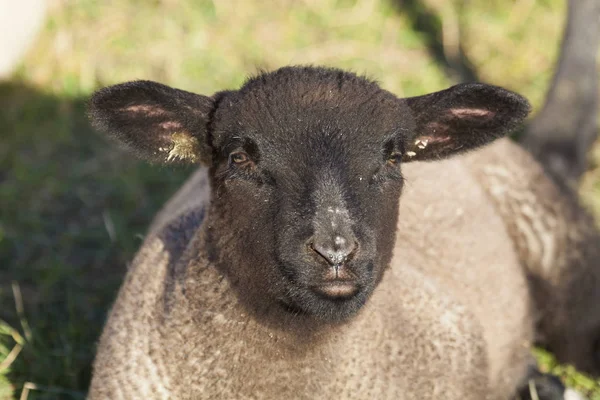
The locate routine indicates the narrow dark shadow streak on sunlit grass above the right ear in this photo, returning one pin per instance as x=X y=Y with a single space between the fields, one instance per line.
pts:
x=456 y=66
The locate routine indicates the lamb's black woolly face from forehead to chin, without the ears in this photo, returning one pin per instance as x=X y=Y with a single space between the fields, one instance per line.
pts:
x=314 y=185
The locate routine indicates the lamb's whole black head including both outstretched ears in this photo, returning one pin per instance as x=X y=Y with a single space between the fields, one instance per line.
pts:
x=305 y=170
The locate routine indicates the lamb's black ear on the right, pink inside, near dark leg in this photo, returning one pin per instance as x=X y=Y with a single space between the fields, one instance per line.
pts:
x=461 y=118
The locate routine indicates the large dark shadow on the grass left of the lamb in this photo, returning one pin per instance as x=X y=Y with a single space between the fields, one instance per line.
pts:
x=73 y=210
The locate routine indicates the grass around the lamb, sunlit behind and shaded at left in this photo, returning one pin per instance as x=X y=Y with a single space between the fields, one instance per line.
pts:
x=74 y=208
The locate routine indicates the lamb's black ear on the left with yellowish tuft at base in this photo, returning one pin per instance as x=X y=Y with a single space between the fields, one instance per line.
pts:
x=157 y=122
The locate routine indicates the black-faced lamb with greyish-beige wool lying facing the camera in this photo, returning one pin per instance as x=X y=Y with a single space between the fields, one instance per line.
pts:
x=288 y=267
